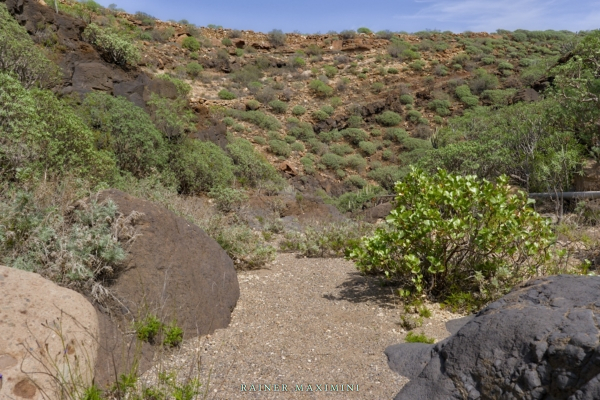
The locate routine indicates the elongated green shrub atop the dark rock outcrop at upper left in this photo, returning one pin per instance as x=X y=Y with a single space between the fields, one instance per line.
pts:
x=115 y=47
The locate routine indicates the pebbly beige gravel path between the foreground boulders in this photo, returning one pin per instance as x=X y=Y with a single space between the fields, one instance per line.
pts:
x=305 y=322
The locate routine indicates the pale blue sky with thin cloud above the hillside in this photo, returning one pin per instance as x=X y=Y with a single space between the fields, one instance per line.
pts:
x=311 y=16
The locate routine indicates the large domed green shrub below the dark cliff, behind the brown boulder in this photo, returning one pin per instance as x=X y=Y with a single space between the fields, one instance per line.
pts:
x=127 y=131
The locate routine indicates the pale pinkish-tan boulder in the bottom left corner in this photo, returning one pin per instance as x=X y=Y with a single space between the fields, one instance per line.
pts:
x=45 y=330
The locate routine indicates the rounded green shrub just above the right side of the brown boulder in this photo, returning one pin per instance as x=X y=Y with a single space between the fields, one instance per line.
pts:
x=201 y=166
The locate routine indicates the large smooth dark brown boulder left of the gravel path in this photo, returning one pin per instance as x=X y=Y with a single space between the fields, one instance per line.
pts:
x=173 y=270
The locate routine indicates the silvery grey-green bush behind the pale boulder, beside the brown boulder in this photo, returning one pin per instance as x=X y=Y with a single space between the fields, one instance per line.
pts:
x=76 y=250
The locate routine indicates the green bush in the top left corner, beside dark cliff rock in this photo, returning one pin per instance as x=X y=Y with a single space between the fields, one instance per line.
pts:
x=19 y=55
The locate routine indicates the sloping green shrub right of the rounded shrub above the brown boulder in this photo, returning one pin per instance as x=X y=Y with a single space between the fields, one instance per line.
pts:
x=250 y=167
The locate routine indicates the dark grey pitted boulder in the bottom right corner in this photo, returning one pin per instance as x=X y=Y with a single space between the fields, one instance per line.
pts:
x=541 y=341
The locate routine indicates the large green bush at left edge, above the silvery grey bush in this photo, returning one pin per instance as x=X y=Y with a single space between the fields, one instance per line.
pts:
x=42 y=135
